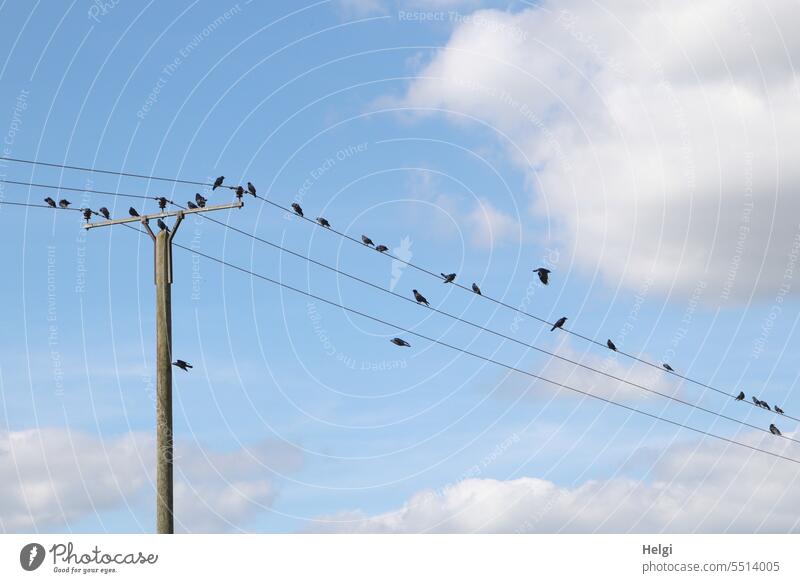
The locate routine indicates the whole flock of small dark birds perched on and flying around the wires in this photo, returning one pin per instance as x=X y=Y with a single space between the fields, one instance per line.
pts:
x=200 y=202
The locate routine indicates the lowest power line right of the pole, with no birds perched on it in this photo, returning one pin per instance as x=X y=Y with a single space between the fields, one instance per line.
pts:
x=481 y=357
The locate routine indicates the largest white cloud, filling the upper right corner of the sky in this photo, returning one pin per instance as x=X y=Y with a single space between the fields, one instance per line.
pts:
x=659 y=137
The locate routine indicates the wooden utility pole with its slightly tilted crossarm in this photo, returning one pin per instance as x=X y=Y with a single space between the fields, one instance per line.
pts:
x=162 y=243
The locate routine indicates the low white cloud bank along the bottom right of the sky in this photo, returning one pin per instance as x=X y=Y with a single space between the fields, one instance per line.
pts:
x=694 y=488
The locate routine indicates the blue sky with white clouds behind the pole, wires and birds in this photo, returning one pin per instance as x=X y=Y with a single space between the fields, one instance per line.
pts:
x=643 y=152
